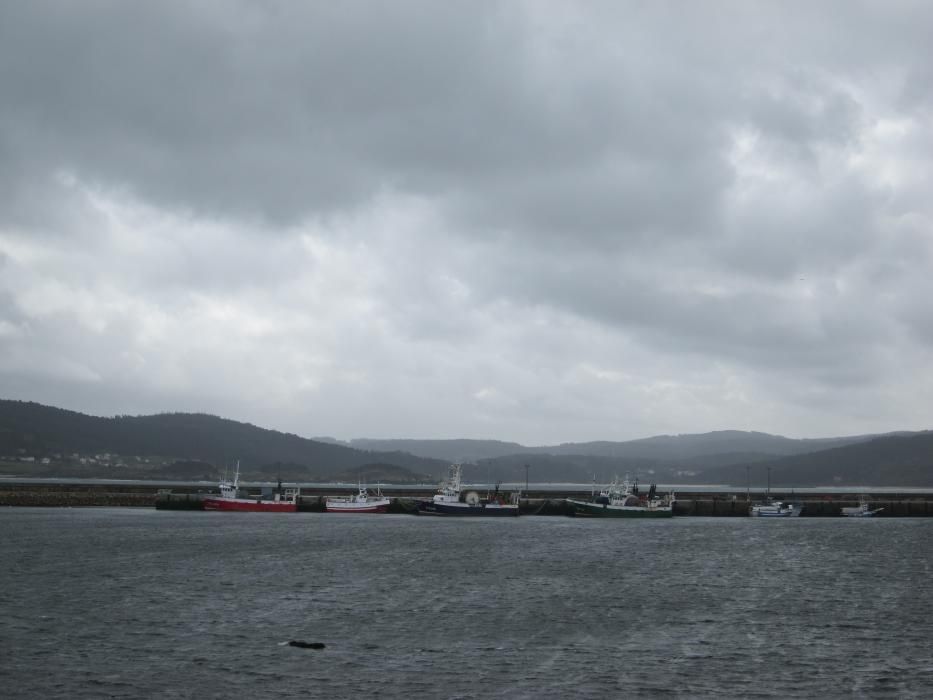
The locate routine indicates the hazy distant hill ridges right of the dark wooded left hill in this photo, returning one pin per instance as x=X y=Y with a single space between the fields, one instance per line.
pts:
x=719 y=457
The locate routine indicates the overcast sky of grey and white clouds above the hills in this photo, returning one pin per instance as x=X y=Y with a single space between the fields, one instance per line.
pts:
x=538 y=221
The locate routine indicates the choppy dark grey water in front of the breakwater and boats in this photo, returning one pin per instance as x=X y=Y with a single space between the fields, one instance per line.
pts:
x=145 y=603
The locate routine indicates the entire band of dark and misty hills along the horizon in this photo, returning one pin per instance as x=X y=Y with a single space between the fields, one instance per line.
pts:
x=42 y=440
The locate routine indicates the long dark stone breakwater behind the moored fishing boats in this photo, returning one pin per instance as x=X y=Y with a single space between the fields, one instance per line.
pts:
x=538 y=499
